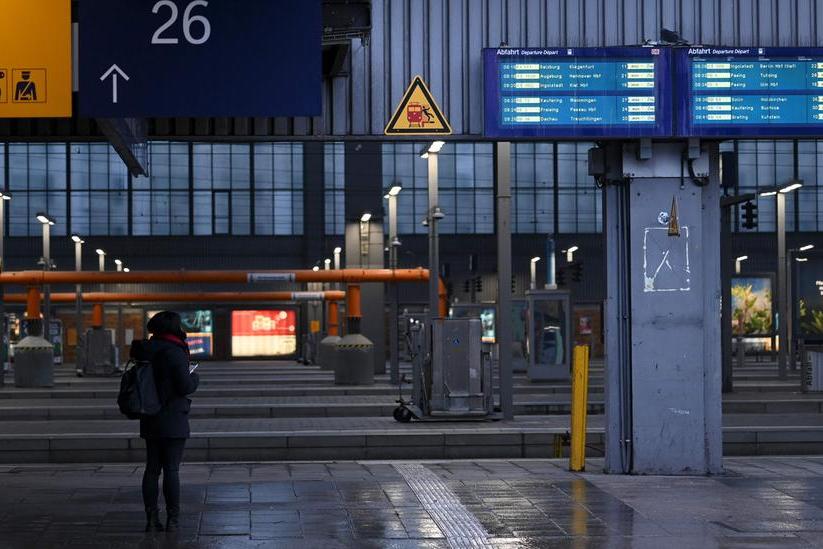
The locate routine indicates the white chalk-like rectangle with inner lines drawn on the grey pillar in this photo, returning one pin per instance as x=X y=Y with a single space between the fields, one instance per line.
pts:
x=666 y=261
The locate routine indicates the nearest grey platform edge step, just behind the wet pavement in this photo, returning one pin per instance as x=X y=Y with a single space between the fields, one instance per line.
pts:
x=360 y=438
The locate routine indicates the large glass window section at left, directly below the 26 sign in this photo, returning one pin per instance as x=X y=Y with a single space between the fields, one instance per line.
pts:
x=193 y=189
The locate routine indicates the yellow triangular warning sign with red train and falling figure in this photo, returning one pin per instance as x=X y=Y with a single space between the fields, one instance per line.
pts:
x=418 y=113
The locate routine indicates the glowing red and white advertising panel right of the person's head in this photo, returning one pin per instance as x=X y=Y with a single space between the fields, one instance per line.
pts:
x=271 y=333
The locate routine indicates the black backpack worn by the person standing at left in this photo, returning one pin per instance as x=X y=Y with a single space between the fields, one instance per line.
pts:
x=138 y=395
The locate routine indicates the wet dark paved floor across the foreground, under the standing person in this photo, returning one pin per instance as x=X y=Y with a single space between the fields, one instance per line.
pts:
x=759 y=502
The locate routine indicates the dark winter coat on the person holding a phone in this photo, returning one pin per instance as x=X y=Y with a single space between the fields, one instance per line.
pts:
x=171 y=375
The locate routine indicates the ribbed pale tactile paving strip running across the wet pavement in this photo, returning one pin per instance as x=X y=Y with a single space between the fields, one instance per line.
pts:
x=458 y=524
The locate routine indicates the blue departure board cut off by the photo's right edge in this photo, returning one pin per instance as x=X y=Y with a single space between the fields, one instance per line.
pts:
x=750 y=92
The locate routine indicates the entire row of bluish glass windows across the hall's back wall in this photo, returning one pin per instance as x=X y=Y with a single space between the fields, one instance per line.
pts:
x=258 y=189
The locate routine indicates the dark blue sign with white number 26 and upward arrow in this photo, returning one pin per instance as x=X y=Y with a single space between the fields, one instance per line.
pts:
x=199 y=58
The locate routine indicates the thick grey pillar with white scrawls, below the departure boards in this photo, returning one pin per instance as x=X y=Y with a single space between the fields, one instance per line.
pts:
x=663 y=400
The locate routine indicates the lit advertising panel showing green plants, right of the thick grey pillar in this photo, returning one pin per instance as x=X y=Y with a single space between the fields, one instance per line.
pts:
x=752 y=309
